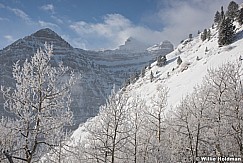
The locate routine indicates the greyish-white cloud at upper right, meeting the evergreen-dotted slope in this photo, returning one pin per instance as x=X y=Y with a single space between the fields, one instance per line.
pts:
x=182 y=17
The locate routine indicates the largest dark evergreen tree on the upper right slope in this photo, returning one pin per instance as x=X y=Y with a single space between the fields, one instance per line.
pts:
x=226 y=32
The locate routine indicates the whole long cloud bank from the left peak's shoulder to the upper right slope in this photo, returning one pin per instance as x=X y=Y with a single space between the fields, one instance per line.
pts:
x=177 y=18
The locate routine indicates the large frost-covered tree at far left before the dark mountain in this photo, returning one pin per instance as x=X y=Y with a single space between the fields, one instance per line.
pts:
x=40 y=104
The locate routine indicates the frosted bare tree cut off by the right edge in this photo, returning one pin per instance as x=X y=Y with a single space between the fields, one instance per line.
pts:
x=234 y=111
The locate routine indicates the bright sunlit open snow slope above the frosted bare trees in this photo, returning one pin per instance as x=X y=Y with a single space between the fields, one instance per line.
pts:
x=197 y=57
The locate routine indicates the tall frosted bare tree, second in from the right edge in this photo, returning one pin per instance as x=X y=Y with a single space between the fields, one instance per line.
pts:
x=219 y=81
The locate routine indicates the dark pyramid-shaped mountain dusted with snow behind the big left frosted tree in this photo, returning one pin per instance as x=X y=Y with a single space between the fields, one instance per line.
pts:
x=89 y=93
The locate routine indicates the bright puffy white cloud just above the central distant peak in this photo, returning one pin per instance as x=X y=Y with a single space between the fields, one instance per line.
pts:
x=112 y=32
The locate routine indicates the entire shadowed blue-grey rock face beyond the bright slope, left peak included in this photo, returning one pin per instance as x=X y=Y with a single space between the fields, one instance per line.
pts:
x=99 y=70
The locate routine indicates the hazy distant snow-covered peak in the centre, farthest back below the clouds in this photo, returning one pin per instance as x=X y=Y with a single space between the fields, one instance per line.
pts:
x=129 y=59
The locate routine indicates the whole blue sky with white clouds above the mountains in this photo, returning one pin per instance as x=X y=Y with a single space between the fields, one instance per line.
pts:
x=106 y=24
